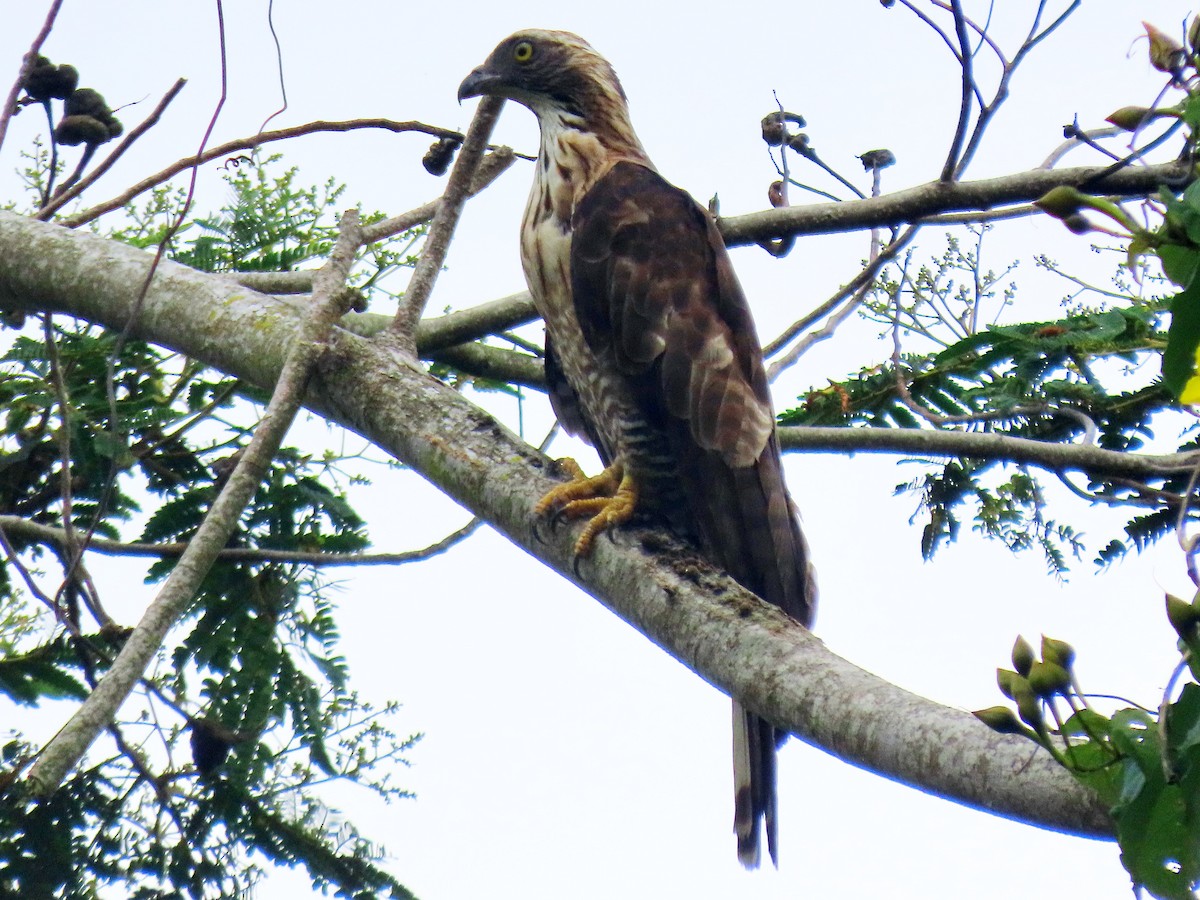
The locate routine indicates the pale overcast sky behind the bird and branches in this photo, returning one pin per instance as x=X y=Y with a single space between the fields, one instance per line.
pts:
x=566 y=757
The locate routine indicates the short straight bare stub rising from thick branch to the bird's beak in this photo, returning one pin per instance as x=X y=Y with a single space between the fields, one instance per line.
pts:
x=437 y=244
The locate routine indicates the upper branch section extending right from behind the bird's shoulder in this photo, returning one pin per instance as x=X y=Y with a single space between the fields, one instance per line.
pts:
x=937 y=197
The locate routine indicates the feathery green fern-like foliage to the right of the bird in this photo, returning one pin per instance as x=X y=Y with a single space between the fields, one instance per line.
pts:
x=1057 y=381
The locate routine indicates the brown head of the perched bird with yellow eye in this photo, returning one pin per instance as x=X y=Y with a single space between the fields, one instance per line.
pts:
x=549 y=71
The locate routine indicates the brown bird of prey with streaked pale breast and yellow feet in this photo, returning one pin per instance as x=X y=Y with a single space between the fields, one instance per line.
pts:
x=652 y=356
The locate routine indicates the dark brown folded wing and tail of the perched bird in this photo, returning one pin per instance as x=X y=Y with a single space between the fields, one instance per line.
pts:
x=653 y=285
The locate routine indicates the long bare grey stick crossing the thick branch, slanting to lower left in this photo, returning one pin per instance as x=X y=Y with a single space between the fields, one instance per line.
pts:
x=71 y=743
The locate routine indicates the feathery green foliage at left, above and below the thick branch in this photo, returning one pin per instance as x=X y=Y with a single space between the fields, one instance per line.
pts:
x=220 y=761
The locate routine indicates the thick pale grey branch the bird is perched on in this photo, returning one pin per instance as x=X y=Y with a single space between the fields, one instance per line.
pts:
x=704 y=619
